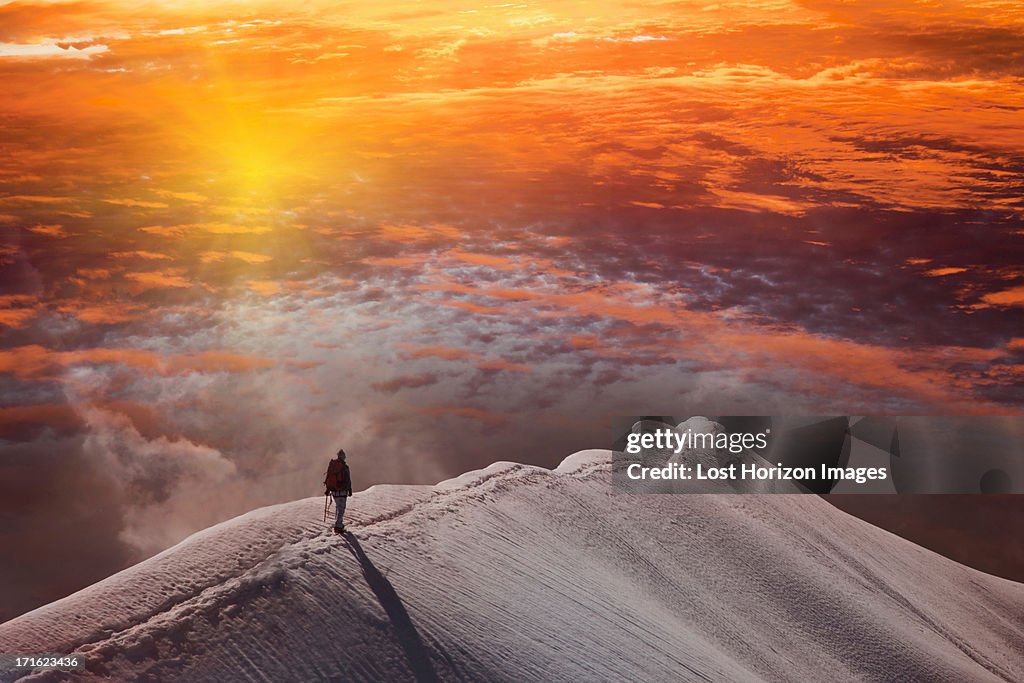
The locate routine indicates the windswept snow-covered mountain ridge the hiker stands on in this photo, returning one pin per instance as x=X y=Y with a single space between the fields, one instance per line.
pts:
x=522 y=574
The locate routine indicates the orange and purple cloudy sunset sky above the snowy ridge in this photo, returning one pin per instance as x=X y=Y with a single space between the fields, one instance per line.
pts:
x=238 y=236
